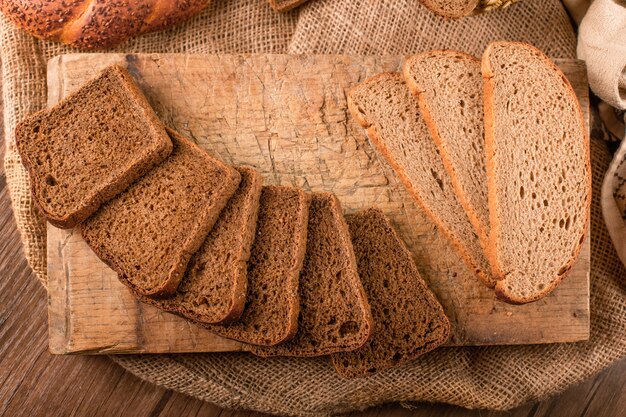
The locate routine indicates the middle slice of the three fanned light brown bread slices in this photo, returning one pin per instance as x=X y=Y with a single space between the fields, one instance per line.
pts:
x=449 y=90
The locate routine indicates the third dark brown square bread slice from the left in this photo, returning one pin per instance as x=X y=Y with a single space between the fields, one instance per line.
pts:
x=214 y=287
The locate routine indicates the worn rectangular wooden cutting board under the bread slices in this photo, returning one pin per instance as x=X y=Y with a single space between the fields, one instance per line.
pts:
x=287 y=117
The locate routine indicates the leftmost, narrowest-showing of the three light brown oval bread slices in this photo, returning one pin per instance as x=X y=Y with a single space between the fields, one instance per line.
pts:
x=384 y=106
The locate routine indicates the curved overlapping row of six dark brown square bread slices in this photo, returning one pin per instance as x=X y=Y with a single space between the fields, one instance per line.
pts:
x=272 y=266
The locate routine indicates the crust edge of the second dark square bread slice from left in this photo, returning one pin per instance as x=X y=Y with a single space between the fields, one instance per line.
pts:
x=196 y=237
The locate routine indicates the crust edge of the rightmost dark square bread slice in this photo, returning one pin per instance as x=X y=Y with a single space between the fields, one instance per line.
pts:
x=429 y=295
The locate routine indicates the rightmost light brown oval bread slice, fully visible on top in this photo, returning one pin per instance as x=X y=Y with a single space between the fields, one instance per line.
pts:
x=539 y=175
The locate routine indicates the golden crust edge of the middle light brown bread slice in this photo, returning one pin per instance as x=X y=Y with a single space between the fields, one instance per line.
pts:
x=418 y=92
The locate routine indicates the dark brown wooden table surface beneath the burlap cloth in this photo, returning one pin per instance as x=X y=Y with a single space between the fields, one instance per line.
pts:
x=36 y=383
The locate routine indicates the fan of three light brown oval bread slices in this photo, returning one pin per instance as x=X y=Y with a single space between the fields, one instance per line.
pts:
x=495 y=152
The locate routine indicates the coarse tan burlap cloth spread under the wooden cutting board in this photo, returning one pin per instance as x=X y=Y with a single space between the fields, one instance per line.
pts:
x=489 y=377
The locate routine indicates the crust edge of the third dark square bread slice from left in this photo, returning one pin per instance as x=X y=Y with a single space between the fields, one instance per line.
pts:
x=239 y=279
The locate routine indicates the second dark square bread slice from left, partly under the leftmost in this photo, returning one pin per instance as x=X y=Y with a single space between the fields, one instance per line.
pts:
x=150 y=231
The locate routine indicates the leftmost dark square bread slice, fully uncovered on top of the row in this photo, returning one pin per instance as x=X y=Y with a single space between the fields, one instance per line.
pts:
x=90 y=147
